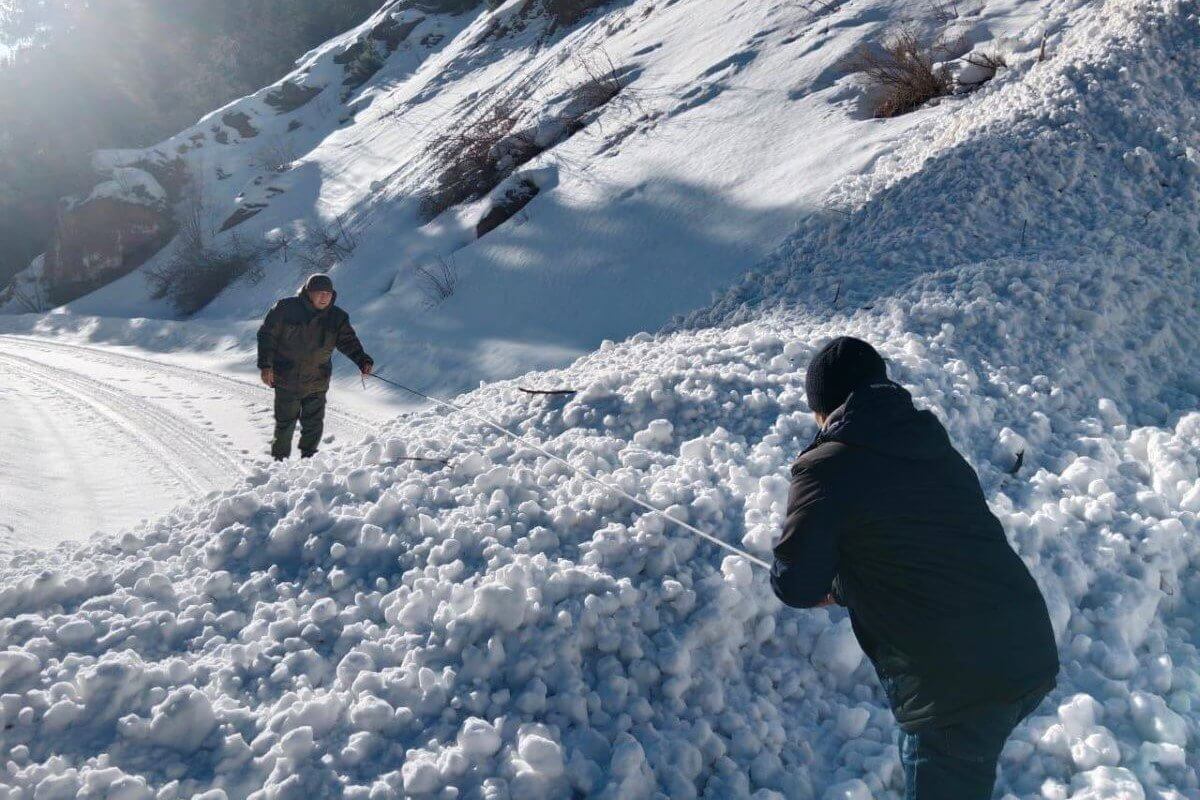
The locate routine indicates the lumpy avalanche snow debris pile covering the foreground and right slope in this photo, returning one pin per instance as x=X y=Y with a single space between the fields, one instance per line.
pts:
x=365 y=627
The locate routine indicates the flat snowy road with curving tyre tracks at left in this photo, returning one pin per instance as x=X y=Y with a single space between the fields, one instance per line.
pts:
x=97 y=440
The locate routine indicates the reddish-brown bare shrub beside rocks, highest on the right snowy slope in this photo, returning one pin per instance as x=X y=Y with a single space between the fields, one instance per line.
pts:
x=903 y=71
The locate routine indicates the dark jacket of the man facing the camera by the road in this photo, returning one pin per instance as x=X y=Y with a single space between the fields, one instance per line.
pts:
x=297 y=341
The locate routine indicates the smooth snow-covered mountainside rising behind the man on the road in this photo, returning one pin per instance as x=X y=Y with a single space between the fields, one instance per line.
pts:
x=579 y=171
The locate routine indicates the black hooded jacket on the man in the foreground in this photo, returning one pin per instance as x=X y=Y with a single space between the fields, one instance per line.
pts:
x=891 y=520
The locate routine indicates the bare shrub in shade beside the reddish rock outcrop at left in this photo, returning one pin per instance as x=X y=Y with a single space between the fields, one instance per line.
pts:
x=197 y=272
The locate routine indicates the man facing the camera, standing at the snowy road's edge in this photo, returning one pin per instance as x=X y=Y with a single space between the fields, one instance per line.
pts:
x=296 y=346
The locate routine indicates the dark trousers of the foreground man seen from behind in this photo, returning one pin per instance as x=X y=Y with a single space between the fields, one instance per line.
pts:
x=958 y=762
